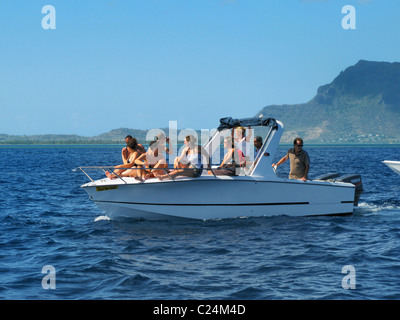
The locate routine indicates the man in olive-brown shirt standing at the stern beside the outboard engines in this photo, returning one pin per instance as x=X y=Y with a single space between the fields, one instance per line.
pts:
x=299 y=161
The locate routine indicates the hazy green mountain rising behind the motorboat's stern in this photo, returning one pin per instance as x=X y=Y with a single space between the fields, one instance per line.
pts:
x=361 y=105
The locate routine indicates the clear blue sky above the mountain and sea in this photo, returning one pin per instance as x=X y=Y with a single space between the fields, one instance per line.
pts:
x=141 y=63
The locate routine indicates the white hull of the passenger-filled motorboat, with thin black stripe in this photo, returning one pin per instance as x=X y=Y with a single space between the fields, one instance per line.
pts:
x=220 y=198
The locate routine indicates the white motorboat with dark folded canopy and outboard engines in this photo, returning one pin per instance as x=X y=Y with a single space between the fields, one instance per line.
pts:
x=256 y=191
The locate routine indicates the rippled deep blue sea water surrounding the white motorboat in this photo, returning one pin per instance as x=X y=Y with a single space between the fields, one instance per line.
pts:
x=46 y=219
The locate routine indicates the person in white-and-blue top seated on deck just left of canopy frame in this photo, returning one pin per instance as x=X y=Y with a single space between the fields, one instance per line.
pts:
x=189 y=163
